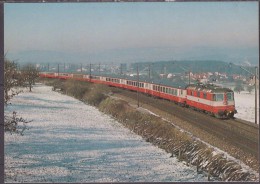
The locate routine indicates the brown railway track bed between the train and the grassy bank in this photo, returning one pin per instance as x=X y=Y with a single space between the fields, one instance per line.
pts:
x=241 y=134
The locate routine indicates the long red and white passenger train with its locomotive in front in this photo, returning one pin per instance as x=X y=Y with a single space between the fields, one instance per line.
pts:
x=208 y=98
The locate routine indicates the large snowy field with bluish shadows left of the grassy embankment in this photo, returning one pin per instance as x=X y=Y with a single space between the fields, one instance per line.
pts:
x=69 y=141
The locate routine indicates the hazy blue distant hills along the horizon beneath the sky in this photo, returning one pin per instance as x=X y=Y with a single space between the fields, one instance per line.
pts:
x=131 y=55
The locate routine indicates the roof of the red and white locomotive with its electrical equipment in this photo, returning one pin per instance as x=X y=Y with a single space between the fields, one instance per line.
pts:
x=208 y=88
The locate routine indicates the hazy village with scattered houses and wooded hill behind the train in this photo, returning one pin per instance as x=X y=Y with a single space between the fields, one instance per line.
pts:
x=238 y=77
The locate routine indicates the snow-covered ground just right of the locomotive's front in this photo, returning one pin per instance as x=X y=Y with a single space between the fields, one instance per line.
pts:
x=245 y=105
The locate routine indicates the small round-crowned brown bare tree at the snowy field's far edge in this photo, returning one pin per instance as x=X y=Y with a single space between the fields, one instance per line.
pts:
x=30 y=73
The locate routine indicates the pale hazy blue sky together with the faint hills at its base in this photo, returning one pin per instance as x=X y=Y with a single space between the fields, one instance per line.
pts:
x=131 y=32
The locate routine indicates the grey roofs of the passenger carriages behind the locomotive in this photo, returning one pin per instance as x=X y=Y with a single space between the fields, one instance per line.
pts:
x=164 y=82
